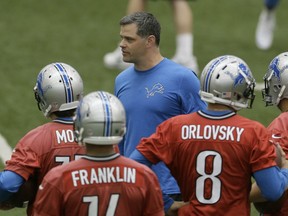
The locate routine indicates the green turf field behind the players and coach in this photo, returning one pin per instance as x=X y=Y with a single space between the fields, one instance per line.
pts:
x=35 y=33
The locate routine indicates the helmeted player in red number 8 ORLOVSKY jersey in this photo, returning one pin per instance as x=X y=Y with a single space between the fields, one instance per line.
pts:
x=213 y=153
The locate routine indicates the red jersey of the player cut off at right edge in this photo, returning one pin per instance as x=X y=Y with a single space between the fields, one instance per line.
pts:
x=279 y=130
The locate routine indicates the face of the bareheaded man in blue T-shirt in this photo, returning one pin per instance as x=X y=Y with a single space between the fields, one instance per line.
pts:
x=132 y=45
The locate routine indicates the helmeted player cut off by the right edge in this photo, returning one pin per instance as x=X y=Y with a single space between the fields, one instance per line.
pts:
x=275 y=93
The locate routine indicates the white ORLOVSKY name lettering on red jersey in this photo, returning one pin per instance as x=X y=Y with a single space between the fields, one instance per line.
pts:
x=214 y=132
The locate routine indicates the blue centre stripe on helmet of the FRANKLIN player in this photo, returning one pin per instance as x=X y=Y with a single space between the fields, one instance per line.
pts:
x=108 y=113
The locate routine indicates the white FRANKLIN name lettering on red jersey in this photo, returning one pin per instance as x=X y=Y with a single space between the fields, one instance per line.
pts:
x=103 y=175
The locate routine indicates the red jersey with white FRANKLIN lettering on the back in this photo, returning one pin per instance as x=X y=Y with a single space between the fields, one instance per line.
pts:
x=92 y=186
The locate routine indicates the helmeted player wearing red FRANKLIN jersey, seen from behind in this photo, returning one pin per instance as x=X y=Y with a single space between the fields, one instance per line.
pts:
x=102 y=182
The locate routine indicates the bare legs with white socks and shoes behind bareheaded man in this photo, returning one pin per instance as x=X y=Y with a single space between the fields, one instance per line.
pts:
x=183 y=21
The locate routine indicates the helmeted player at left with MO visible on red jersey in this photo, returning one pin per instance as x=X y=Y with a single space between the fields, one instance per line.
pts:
x=58 y=90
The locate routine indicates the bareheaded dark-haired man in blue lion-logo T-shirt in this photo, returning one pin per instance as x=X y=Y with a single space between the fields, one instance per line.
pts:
x=153 y=89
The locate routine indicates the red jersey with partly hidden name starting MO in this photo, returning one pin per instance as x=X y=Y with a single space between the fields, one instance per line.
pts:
x=43 y=148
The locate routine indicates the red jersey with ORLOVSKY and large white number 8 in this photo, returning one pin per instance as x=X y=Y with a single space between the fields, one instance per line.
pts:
x=212 y=157
